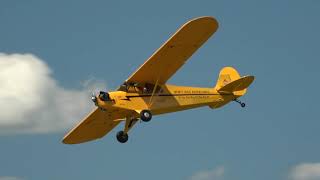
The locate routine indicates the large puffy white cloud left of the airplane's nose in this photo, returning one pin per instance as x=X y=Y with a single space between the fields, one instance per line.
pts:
x=31 y=101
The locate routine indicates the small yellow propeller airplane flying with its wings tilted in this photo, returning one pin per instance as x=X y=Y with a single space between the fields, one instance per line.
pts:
x=145 y=93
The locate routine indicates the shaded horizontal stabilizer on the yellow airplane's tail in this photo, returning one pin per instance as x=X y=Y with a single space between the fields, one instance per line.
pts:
x=237 y=85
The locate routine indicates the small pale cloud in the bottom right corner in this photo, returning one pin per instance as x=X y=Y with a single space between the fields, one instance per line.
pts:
x=306 y=171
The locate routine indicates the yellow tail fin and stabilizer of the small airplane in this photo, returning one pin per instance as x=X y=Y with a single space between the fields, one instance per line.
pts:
x=229 y=81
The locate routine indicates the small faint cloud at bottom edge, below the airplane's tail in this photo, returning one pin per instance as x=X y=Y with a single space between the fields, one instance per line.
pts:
x=213 y=174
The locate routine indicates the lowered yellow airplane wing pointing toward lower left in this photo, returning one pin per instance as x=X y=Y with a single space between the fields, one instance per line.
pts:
x=96 y=125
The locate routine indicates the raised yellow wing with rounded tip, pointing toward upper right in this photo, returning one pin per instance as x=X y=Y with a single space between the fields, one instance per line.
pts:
x=175 y=52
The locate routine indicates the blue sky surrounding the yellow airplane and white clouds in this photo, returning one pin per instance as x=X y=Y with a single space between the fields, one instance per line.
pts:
x=275 y=136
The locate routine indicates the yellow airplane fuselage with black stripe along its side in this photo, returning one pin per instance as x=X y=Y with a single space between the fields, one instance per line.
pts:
x=166 y=99
